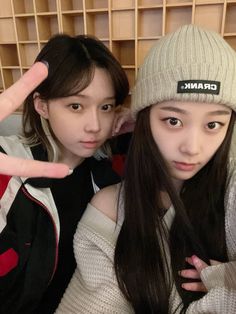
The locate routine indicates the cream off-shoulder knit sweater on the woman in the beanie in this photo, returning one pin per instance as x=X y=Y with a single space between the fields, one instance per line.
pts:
x=94 y=289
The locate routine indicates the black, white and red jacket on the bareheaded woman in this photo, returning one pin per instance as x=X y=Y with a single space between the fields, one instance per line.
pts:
x=29 y=231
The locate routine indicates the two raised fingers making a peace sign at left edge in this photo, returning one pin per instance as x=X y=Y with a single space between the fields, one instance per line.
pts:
x=10 y=100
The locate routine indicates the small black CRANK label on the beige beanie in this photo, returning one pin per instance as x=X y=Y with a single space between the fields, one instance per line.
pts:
x=198 y=86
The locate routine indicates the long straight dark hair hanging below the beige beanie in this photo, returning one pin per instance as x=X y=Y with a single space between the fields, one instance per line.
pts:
x=144 y=245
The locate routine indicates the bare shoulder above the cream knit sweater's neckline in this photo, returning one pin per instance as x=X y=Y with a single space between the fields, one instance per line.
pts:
x=106 y=201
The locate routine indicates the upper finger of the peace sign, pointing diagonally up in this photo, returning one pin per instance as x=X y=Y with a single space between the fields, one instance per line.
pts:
x=14 y=96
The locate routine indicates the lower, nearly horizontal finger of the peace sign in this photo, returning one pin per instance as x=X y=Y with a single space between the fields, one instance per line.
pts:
x=31 y=168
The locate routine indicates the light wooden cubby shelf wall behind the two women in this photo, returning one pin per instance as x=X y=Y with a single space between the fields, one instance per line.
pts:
x=128 y=28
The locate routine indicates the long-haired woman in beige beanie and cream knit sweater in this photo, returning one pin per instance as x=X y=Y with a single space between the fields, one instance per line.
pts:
x=165 y=240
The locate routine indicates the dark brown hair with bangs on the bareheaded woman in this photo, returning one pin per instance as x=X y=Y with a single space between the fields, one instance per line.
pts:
x=72 y=62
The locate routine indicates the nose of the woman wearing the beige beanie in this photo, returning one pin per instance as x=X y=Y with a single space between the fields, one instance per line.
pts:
x=191 y=143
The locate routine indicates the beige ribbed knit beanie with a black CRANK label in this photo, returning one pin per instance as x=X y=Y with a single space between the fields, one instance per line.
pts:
x=190 y=64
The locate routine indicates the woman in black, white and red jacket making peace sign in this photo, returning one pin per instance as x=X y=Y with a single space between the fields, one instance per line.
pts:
x=73 y=108
